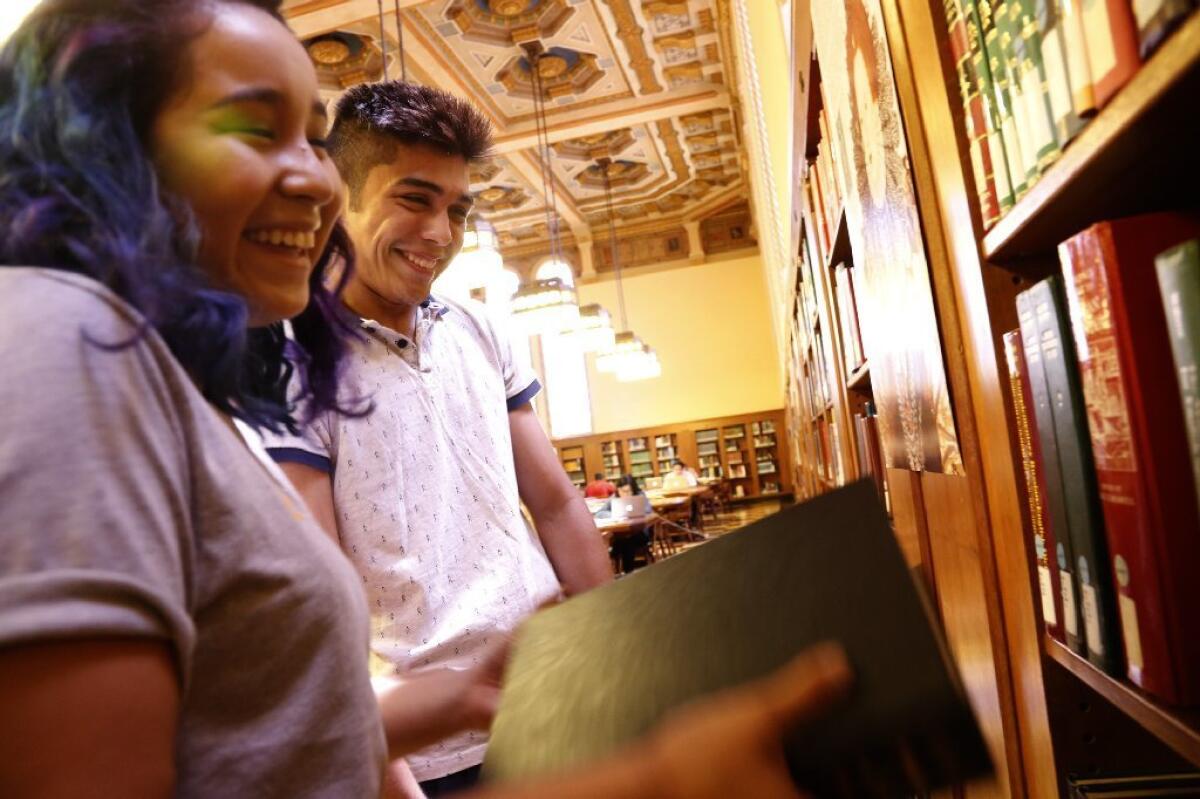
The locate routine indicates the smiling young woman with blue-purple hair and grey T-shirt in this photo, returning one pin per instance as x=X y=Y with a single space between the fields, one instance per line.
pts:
x=172 y=622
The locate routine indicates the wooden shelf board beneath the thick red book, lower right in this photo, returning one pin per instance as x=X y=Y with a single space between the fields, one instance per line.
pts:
x=1180 y=730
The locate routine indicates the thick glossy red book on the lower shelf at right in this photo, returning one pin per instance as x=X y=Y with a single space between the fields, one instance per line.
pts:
x=1142 y=458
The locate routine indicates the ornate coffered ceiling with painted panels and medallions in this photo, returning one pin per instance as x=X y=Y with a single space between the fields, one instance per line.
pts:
x=645 y=83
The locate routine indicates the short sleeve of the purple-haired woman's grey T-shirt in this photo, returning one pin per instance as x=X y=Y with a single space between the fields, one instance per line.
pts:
x=95 y=509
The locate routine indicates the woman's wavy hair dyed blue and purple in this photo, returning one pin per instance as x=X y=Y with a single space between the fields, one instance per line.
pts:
x=81 y=83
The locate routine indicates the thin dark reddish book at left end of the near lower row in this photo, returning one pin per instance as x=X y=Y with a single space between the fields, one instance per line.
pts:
x=1034 y=468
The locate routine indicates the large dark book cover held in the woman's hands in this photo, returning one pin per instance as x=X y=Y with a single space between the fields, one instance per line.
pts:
x=601 y=670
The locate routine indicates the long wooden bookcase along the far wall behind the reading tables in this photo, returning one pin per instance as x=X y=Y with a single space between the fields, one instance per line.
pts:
x=717 y=448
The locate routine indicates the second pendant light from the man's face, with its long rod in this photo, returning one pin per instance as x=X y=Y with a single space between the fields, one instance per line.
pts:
x=545 y=305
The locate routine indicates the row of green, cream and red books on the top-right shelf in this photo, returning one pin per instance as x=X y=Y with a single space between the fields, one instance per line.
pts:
x=1031 y=73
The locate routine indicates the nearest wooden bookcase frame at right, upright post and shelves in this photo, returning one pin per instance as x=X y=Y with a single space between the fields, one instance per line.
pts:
x=1138 y=154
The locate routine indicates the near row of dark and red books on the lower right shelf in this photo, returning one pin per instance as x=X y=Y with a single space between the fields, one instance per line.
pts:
x=1103 y=370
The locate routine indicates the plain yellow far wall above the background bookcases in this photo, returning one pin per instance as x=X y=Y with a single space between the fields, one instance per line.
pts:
x=711 y=326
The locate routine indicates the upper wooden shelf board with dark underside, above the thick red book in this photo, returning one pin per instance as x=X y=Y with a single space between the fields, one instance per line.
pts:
x=1138 y=133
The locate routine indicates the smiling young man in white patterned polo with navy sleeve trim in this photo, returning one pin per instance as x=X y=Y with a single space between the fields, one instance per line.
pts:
x=425 y=494
